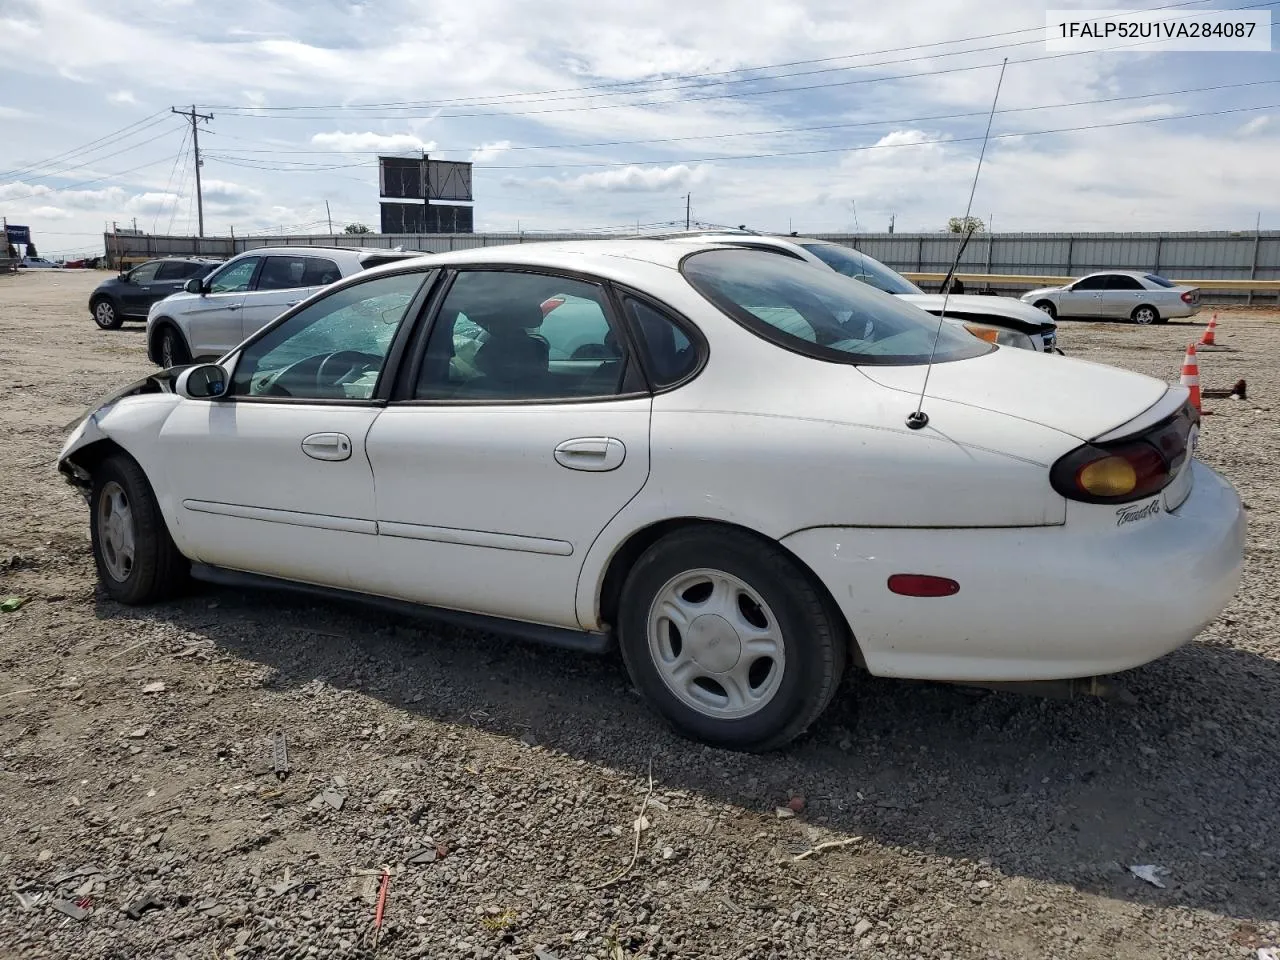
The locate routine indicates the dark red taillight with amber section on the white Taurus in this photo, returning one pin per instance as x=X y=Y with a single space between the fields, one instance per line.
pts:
x=1126 y=470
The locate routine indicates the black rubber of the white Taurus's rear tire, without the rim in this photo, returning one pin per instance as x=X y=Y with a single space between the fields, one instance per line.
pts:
x=815 y=637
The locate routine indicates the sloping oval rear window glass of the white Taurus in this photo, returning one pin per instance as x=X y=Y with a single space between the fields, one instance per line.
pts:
x=821 y=314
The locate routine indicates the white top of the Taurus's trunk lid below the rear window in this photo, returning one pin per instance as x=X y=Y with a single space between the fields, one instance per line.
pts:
x=1073 y=396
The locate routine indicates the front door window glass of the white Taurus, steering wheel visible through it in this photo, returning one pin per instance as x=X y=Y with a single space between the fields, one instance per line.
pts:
x=333 y=350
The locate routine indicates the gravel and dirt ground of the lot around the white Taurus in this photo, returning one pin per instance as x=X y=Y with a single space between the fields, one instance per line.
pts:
x=500 y=783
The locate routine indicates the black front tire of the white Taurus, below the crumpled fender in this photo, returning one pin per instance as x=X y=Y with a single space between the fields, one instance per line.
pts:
x=158 y=570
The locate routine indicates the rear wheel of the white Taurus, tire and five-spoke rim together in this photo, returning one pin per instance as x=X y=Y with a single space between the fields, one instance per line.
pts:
x=730 y=639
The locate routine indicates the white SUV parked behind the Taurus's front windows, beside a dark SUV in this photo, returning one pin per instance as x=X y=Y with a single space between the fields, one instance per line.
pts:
x=214 y=314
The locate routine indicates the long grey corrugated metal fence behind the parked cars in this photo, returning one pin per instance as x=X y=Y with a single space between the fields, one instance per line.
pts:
x=1200 y=257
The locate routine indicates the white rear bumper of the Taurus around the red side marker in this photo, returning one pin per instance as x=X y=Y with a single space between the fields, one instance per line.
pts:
x=1036 y=604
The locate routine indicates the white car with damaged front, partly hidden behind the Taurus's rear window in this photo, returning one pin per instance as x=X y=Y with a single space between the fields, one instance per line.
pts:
x=1002 y=321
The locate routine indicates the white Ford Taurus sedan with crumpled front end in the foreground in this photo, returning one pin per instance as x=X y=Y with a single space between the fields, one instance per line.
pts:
x=729 y=478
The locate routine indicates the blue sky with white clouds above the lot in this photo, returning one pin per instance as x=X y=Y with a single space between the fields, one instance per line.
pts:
x=808 y=116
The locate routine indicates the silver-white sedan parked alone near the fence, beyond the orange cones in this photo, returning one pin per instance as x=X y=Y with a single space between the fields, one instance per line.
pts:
x=1118 y=295
